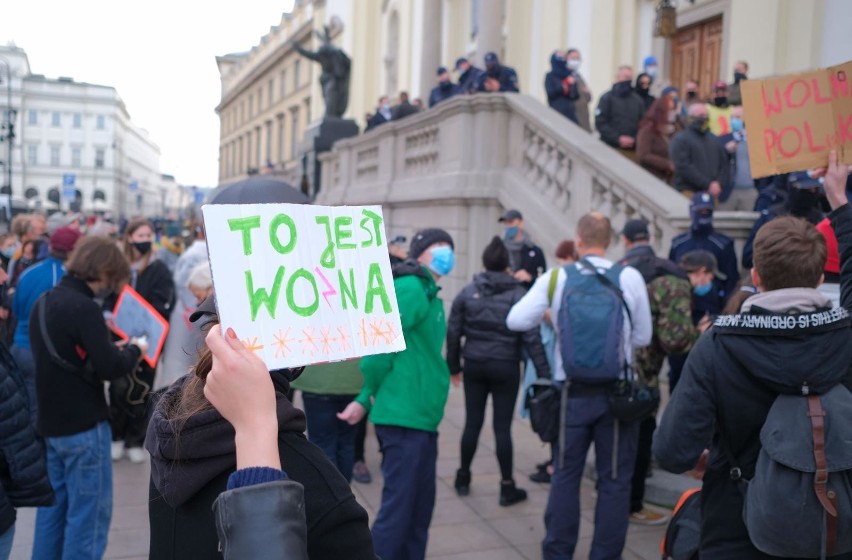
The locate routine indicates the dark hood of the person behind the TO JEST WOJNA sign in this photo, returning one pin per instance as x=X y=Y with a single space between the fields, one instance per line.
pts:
x=182 y=465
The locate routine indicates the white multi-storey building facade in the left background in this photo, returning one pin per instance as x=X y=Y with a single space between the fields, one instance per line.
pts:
x=76 y=147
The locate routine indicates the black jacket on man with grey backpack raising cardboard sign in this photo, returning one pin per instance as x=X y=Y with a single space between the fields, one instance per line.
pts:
x=730 y=381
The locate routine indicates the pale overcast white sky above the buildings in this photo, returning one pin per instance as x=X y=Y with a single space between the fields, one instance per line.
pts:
x=158 y=54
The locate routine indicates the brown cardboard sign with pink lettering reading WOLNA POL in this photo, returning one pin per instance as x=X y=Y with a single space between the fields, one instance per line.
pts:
x=793 y=121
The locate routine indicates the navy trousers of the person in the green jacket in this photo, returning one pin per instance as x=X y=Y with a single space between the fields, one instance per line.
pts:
x=401 y=530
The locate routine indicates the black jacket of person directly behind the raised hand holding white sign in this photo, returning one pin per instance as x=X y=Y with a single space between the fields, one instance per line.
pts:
x=190 y=470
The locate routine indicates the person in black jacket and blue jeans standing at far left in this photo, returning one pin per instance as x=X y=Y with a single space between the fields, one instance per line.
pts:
x=73 y=358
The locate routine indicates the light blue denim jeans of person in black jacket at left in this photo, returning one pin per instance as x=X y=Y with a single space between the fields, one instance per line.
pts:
x=80 y=470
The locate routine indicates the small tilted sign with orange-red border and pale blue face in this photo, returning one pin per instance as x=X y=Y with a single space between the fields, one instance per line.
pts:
x=134 y=317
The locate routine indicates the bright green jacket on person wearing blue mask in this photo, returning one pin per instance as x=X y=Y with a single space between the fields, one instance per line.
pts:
x=409 y=388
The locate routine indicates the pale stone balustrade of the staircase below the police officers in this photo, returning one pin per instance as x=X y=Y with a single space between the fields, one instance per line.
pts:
x=461 y=164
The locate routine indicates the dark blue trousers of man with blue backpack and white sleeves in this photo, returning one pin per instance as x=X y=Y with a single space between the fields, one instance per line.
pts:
x=588 y=419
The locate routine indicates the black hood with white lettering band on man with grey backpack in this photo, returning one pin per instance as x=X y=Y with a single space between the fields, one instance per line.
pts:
x=789 y=339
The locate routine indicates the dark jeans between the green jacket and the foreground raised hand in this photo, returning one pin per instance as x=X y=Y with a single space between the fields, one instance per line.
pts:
x=335 y=437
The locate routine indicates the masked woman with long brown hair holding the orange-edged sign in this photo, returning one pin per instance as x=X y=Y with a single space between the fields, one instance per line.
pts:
x=153 y=280
